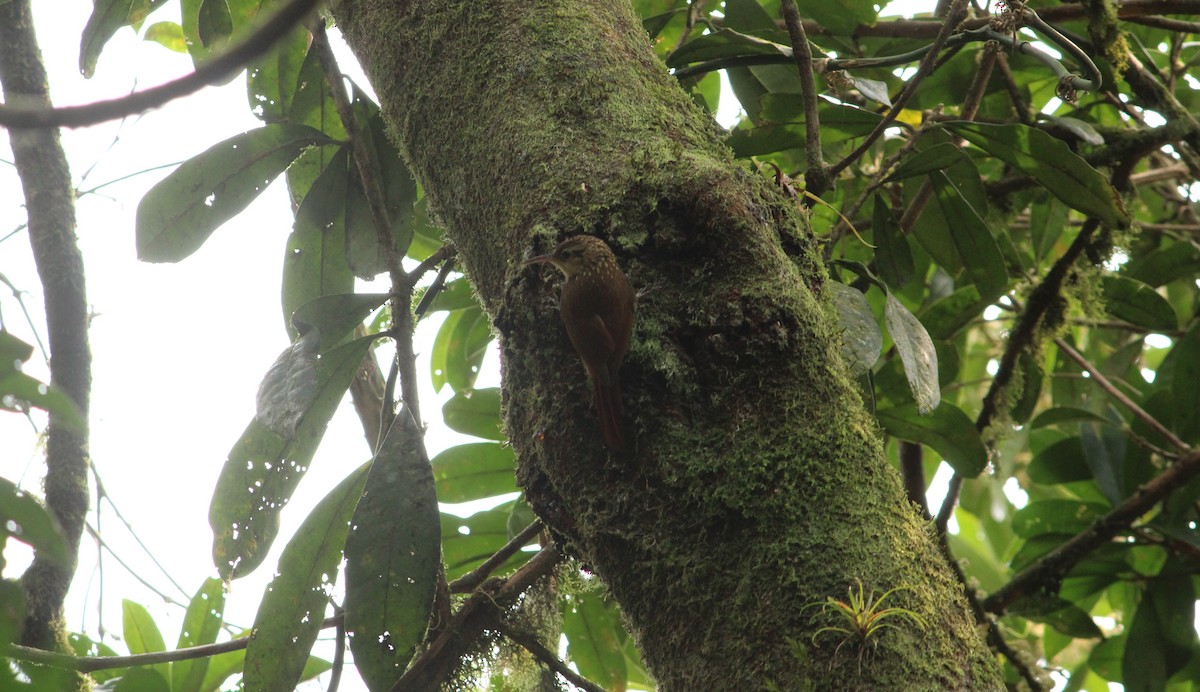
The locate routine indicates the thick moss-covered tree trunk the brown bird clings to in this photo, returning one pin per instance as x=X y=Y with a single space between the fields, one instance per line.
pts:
x=755 y=484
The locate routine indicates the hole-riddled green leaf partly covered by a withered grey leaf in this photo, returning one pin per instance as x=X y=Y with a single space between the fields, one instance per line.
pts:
x=263 y=471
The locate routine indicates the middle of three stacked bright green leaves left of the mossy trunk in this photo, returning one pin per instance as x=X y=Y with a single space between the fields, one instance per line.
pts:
x=475 y=472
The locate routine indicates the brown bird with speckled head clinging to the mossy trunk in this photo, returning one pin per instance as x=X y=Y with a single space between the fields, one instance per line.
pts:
x=597 y=306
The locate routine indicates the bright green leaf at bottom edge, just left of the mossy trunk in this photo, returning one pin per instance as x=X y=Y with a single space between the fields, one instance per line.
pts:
x=595 y=639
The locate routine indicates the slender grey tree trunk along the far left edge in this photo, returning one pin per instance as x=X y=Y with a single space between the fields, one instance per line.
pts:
x=50 y=202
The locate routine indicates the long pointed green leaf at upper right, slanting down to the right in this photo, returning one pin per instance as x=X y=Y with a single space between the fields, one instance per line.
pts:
x=1052 y=164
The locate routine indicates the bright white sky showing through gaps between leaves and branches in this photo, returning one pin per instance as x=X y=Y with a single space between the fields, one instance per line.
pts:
x=178 y=350
